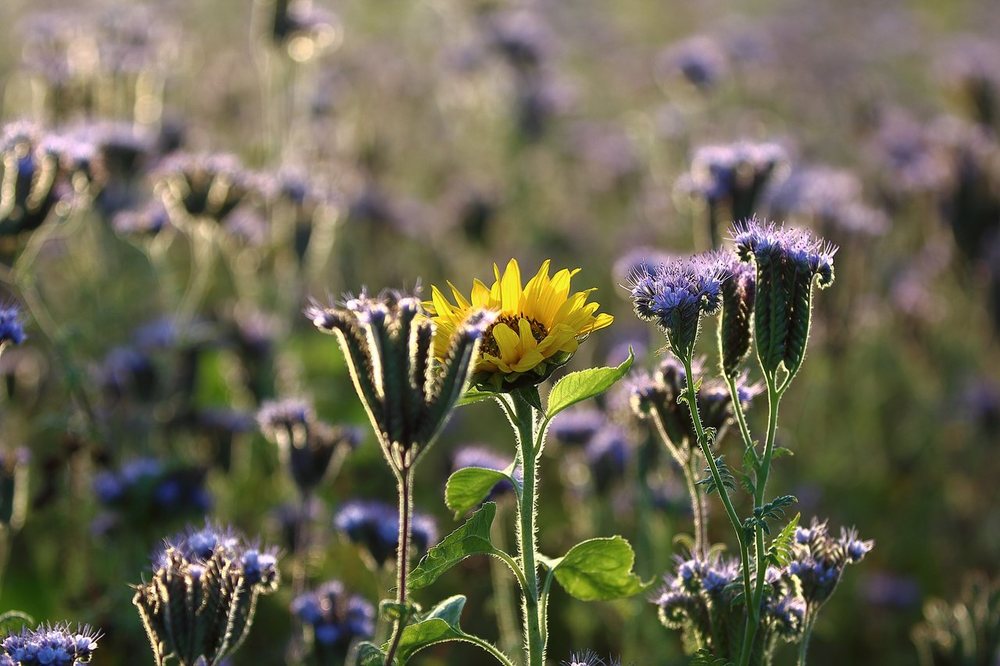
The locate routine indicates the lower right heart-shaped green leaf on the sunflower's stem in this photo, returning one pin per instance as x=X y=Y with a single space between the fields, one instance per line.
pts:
x=599 y=569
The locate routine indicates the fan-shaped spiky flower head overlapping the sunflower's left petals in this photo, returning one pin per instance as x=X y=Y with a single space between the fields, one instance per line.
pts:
x=407 y=371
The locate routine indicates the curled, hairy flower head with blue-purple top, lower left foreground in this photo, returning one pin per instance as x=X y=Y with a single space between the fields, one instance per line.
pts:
x=199 y=605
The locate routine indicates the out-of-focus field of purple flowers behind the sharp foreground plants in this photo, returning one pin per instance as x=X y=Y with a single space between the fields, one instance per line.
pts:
x=189 y=173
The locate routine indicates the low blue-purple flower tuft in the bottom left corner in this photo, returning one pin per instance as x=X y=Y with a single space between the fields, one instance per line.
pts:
x=50 y=645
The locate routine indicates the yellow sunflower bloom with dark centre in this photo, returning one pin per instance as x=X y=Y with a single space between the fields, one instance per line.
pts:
x=537 y=329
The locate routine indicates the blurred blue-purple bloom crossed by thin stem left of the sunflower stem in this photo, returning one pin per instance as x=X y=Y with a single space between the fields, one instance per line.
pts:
x=373 y=526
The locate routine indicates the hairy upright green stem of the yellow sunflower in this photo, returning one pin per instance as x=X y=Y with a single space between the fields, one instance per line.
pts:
x=525 y=423
